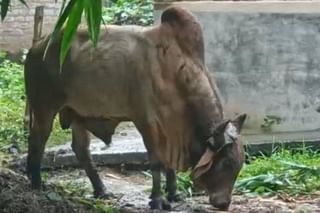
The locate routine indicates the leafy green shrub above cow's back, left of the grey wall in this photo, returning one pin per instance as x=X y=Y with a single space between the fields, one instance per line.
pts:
x=122 y=12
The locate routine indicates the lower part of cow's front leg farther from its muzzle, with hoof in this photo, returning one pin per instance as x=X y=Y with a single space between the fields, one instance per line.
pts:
x=157 y=199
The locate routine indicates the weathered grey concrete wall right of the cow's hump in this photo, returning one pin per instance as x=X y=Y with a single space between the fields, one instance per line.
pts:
x=265 y=58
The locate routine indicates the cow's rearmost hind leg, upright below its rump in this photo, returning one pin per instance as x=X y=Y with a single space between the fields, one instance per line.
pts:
x=39 y=133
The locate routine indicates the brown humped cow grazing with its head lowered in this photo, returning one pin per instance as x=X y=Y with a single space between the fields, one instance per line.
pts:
x=156 y=78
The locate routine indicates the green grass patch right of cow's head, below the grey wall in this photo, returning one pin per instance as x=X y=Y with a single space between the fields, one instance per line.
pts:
x=292 y=172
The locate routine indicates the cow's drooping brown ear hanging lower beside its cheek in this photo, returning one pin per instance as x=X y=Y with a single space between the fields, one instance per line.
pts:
x=204 y=164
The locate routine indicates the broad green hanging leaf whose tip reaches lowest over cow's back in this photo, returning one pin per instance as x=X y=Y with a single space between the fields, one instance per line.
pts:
x=71 y=28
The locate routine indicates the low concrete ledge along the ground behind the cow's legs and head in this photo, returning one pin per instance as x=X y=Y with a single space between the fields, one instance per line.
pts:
x=132 y=152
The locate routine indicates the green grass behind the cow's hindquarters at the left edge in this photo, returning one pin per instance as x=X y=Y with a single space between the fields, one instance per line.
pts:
x=12 y=101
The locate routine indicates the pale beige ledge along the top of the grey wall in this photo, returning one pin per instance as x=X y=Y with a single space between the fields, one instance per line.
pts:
x=246 y=6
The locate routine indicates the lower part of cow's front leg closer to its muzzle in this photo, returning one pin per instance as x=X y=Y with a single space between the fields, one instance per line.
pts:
x=171 y=186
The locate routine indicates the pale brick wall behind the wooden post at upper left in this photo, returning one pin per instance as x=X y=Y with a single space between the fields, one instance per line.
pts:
x=17 y=29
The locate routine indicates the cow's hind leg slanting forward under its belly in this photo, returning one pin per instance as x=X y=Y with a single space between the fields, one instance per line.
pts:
x=80 y=145
